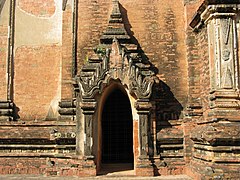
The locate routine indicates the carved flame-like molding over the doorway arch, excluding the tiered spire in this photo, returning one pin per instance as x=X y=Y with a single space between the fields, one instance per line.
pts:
x=125 y=66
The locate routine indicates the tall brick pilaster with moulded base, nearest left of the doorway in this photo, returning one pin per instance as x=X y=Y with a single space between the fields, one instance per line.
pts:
x=67 y=105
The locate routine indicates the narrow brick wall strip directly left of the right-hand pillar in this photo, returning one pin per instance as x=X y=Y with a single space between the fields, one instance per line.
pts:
x=195 y=45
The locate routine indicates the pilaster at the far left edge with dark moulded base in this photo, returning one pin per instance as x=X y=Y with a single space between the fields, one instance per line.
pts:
x=6 y=89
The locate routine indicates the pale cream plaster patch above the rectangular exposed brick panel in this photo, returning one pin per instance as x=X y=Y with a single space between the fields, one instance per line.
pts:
x=35 y=31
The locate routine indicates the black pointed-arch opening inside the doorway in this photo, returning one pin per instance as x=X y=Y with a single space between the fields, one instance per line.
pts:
x=117 y=129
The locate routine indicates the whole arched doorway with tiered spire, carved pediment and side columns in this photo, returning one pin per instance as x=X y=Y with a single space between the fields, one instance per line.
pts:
x=105 y=118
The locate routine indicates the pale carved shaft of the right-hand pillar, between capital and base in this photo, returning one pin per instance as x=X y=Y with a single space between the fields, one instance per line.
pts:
x=224 y=53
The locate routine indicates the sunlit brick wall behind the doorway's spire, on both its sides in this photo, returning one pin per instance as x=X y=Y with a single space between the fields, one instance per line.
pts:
x=158 y=27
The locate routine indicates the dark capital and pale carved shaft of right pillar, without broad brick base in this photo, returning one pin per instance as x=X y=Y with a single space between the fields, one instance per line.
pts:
x=220 y=19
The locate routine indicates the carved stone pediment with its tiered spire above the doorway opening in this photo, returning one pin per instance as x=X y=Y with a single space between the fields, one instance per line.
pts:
x=116 y=57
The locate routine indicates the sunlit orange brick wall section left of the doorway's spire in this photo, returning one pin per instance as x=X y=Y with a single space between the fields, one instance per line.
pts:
x=92 y=21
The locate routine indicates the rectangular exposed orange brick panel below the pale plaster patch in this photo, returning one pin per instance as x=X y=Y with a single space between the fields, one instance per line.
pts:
x=37 y=77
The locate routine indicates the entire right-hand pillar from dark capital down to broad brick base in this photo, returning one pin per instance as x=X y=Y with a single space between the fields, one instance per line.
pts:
x=216 y=135
